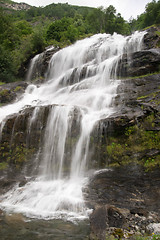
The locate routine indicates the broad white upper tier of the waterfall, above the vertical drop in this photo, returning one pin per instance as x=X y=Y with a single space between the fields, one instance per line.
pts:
x=80 y=74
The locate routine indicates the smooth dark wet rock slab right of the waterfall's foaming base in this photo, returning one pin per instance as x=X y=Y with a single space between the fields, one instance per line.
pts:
x=126 y=187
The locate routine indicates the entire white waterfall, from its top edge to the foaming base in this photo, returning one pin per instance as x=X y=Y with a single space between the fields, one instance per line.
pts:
x=83 y=77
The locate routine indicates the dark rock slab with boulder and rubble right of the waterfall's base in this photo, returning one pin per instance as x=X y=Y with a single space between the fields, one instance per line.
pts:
x=125 y=200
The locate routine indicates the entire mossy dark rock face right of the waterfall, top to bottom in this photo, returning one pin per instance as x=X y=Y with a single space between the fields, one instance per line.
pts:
x=128 y=143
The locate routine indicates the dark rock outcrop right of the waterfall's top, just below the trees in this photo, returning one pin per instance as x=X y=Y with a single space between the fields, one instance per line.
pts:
x=142 y=62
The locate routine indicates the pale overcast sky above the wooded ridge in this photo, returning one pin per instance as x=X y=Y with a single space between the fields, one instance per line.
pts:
x=127 y=8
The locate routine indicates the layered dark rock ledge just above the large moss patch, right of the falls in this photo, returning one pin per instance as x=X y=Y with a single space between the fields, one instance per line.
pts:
x=136 y=99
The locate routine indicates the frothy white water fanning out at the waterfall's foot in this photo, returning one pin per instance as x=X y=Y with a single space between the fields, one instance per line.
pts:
x=48 y=199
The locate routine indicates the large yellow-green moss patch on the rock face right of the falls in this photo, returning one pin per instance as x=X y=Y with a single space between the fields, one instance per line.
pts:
x=134 y=144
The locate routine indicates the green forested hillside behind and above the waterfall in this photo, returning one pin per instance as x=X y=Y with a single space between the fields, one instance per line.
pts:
x=25 y=33
